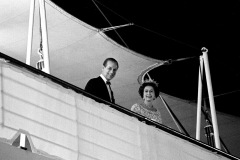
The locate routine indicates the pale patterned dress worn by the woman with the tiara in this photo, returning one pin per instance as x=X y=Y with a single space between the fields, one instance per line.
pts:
x=153 y=115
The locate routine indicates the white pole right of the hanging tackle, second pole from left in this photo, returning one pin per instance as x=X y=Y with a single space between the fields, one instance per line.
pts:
x=44 y=36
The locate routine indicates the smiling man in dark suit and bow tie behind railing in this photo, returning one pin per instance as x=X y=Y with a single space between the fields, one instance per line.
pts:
x=100 y=86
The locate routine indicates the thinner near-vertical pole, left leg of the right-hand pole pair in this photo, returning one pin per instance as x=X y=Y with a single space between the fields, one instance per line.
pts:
x=199 y=102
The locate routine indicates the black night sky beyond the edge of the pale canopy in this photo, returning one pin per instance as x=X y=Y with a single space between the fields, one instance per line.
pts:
x=176 y=29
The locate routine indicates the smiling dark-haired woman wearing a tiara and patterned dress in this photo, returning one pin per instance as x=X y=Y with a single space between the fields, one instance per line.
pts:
x=148 y=91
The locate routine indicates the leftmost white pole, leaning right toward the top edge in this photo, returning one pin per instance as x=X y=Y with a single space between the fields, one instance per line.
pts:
x=30 y=32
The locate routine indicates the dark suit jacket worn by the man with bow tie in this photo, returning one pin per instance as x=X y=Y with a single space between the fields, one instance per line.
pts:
x=97 y=87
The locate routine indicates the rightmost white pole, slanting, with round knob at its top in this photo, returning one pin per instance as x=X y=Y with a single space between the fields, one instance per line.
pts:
x=210 y=94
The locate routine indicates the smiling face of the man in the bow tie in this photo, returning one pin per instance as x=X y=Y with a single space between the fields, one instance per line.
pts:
x=109 y=71
